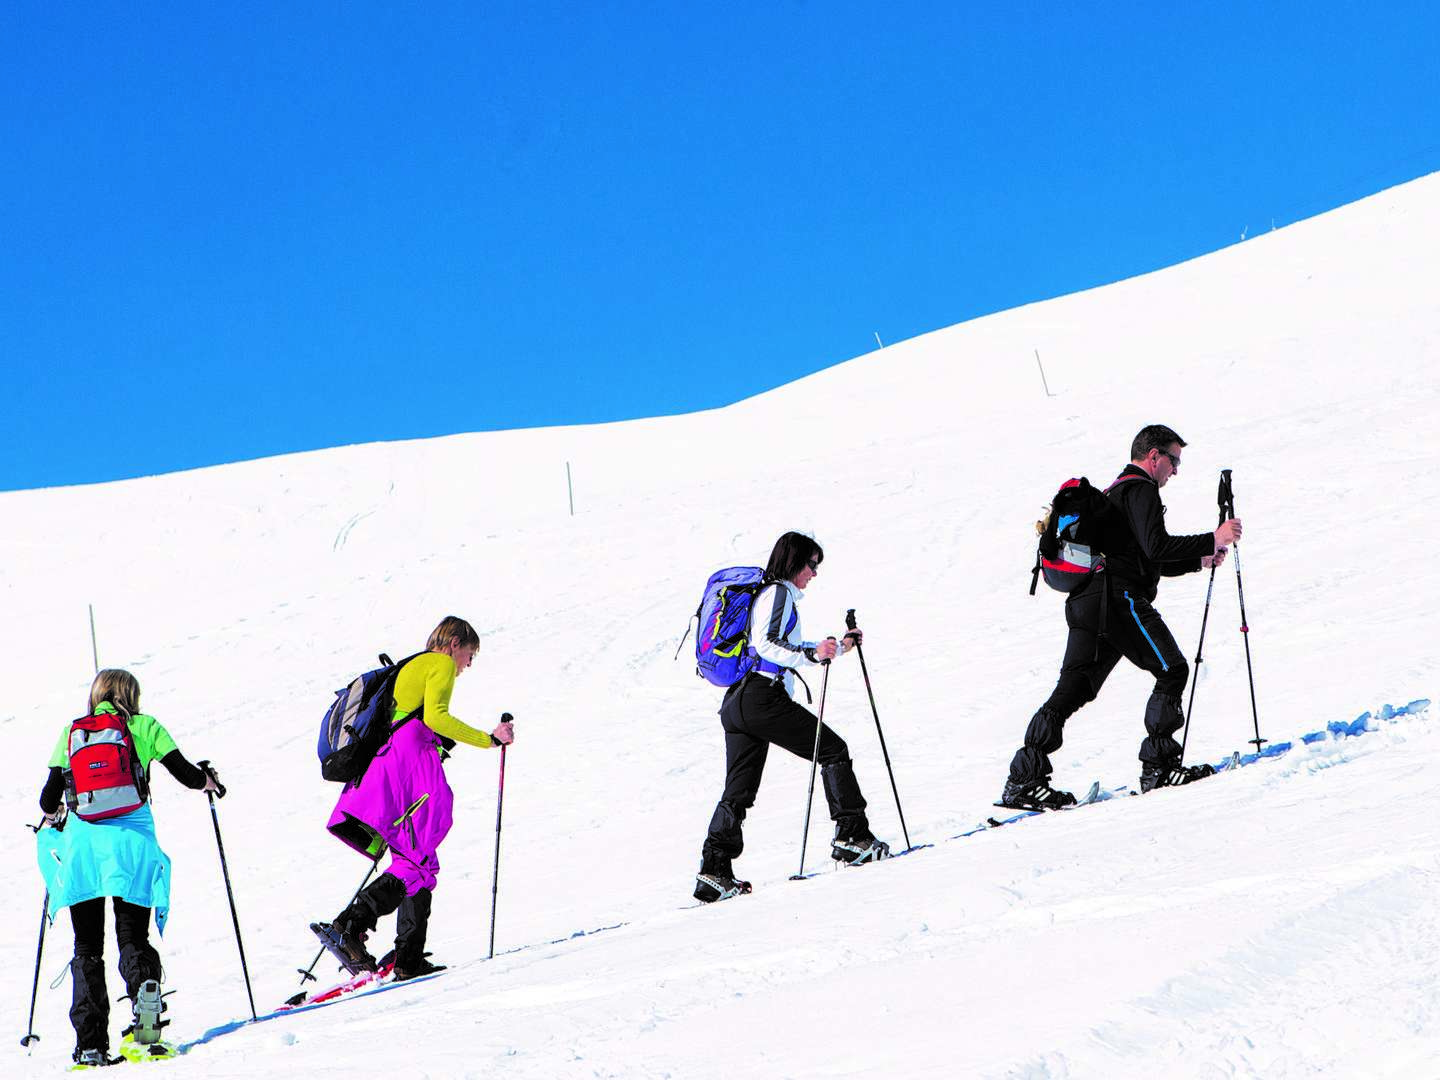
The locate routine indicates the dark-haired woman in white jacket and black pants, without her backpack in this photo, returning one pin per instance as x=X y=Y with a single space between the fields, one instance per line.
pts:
x=761 y=711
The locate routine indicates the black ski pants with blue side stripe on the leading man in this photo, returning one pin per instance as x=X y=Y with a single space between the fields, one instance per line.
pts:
x=1110 y=621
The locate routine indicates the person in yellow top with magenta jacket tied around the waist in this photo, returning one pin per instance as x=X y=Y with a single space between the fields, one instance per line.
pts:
x=404 y=803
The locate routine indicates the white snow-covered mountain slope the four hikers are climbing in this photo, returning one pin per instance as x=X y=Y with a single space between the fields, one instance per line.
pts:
x=1278 y=922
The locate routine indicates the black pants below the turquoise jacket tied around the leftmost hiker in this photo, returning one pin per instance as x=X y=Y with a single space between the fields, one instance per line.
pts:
x=139 y=961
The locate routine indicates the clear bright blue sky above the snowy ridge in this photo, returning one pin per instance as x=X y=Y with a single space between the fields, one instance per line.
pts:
x=238 y=231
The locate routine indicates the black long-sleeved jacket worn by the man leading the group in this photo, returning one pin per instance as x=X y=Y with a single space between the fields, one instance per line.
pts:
x=1141 y=555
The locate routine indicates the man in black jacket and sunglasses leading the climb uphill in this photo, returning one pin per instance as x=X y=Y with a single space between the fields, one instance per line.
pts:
x=1111 y=617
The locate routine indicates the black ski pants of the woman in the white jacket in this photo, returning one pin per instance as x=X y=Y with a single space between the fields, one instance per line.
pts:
x=755 y=715
